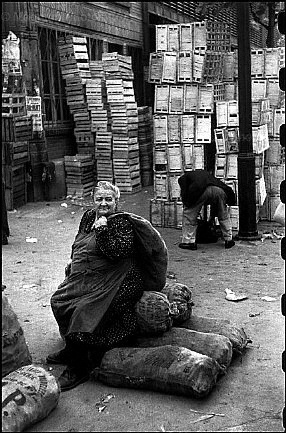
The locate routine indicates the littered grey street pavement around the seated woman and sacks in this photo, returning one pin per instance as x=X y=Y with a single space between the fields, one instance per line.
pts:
x=250 y=396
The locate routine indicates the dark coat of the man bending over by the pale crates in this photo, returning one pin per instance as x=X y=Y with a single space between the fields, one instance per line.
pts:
x=193 y=184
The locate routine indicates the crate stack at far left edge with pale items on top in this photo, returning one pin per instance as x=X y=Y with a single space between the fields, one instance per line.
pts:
x=16 y=126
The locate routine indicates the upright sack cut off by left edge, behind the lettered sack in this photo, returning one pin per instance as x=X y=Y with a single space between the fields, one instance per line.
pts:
x=15 y=352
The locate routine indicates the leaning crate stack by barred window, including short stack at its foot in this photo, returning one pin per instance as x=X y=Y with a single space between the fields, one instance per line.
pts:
x=74 y=62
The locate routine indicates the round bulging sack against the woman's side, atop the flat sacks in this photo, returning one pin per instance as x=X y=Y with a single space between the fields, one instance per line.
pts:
x=153 y=313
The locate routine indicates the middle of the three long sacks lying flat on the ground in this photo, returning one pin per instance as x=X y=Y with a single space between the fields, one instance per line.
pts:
x=217 y=347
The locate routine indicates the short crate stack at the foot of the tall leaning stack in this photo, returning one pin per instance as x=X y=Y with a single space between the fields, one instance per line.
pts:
x=79 y=175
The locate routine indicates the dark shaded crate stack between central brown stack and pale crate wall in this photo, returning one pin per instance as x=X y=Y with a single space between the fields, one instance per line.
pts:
x=145 y=137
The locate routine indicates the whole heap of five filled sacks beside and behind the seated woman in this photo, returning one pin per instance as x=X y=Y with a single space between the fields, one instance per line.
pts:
x=176 y=352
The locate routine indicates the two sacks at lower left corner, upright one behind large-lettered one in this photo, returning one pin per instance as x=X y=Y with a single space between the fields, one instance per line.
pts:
x=29 y=392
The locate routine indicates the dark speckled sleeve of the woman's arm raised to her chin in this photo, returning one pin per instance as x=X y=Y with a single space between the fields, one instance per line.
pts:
x=117 y=239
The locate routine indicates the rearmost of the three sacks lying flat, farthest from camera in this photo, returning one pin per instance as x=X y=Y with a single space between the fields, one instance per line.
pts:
x=236 y=335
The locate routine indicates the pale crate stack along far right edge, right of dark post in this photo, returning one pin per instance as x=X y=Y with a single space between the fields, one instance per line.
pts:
x=271 y=60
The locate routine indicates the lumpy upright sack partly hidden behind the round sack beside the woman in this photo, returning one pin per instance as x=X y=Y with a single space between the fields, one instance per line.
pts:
x=180 y=298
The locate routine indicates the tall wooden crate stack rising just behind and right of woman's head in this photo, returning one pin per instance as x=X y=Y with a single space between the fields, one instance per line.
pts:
x=123 y=113
